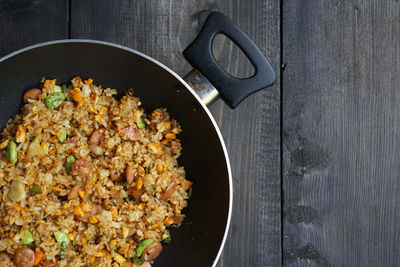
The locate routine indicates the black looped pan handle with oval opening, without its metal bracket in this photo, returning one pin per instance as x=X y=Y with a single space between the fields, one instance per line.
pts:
x=200 y=56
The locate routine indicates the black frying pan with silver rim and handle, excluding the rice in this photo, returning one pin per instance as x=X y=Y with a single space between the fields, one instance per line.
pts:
x=199 y=241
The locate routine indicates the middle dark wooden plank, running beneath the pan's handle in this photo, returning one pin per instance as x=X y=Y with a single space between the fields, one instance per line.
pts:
x=162 y=30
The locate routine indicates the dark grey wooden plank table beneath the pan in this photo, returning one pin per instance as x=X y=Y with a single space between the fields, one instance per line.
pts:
x=315 y=157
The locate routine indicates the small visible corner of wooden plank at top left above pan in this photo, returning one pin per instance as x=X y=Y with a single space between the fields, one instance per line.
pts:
x=26 y=22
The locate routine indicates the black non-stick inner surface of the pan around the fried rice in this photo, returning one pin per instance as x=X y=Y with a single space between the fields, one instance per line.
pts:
x=197 y=241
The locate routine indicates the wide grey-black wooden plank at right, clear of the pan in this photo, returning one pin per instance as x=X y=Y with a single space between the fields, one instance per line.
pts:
x=341 y=133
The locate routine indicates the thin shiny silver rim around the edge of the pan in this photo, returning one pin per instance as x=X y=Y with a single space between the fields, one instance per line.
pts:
x=180 y=79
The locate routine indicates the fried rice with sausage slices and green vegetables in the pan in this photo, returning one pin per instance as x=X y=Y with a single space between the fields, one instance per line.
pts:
x=101 y=172
